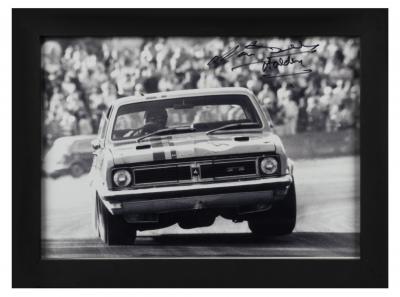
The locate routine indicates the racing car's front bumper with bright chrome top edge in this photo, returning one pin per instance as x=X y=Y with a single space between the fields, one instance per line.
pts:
x=195 y=196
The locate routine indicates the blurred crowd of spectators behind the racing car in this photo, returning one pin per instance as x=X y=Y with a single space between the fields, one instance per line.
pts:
x=81 y=77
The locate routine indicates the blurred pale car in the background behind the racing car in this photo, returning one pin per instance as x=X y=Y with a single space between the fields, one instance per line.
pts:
x=70 y=155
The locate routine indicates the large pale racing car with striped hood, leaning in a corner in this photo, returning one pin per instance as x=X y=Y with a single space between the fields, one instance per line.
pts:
x=187 y=157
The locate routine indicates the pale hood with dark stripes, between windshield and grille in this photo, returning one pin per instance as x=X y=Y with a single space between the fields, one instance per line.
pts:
x=193 y=145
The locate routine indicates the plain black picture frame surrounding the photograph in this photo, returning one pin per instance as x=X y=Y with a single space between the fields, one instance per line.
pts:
x=30 y=270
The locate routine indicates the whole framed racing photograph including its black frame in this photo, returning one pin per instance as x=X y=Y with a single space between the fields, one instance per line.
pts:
x=200 y=148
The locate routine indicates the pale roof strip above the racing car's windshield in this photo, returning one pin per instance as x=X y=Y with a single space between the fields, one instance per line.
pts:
x=181 y=93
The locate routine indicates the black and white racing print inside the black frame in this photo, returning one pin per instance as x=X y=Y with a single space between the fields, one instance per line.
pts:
x=200 y=147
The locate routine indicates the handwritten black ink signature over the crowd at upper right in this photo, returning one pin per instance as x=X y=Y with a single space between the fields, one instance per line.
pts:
x=275 y=57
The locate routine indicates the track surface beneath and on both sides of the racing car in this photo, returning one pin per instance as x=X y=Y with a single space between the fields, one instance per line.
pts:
x=328 y=223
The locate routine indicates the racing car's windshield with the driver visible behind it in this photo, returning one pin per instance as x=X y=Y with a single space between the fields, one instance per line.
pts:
x=202 y=113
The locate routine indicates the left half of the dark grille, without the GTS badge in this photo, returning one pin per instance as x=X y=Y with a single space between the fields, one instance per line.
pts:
x=164 y=174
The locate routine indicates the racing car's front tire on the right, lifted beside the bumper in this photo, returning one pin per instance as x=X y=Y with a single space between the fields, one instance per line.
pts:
x=280 y=220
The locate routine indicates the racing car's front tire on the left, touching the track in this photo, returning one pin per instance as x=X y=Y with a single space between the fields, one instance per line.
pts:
x=112 y=229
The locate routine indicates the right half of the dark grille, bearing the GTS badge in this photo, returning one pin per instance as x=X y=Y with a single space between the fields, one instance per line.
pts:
x=227 y=169
